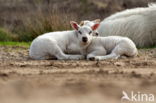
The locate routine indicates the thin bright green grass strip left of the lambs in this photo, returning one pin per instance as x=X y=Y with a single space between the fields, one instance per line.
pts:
x=10 y=43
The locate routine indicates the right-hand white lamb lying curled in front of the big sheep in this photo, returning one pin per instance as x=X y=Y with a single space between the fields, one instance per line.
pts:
x=111 y=47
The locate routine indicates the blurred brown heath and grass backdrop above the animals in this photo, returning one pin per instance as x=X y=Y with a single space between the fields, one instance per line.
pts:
x=23 y=20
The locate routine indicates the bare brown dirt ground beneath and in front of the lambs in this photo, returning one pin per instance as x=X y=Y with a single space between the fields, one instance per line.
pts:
x=52 y=81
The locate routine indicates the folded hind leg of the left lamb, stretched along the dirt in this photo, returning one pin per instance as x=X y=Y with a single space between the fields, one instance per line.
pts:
x=58 y=53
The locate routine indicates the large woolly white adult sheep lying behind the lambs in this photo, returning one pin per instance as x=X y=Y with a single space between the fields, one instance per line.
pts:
x=139 y=24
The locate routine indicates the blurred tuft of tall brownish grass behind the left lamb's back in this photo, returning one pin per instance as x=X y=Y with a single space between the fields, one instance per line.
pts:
x=42 y=23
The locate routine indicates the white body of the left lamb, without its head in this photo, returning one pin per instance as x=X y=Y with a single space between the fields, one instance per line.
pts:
x=55 y=45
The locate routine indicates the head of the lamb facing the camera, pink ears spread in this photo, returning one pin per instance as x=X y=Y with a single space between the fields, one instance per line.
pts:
x=84 y=33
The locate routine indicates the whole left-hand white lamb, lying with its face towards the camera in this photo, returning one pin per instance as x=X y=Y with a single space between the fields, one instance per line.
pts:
x=60 y=44
